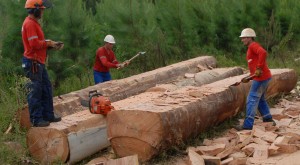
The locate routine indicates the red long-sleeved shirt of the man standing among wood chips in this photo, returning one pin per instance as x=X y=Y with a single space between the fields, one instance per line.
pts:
x=256 y=57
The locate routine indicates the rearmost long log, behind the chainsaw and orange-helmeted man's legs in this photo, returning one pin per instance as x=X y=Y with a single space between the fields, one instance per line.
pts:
x=68 y=104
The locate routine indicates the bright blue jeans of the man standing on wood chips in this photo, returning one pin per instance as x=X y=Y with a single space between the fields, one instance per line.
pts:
x=256 y=99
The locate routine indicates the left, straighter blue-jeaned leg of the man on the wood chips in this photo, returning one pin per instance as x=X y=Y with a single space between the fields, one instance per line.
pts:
x=253 y=98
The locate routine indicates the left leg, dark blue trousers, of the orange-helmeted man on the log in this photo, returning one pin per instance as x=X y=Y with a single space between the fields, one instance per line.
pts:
x=34 y=89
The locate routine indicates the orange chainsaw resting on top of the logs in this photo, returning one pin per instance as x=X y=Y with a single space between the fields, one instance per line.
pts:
x=98 y=104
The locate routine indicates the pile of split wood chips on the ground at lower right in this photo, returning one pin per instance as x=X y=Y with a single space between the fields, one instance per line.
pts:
x=264 y=144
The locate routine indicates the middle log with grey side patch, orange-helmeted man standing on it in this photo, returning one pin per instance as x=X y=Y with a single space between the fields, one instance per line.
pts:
x=85 y=133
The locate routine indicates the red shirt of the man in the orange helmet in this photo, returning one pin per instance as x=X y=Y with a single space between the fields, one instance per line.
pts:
x=35 y=46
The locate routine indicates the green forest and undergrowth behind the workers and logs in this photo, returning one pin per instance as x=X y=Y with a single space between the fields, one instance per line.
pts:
x=168 y=30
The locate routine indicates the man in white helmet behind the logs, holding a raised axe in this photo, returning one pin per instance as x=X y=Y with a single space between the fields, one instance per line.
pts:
x=106 y=59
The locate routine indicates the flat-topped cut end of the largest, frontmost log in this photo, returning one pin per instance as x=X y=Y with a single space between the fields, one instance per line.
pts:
x=134 y=132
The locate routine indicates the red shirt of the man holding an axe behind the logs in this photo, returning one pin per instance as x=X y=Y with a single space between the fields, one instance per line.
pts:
x=104 y=60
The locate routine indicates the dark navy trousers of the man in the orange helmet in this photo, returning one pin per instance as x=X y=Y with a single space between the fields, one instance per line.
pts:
x=39 y=97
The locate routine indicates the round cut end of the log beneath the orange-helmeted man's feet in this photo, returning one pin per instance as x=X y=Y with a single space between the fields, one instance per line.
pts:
x=47 y=145
